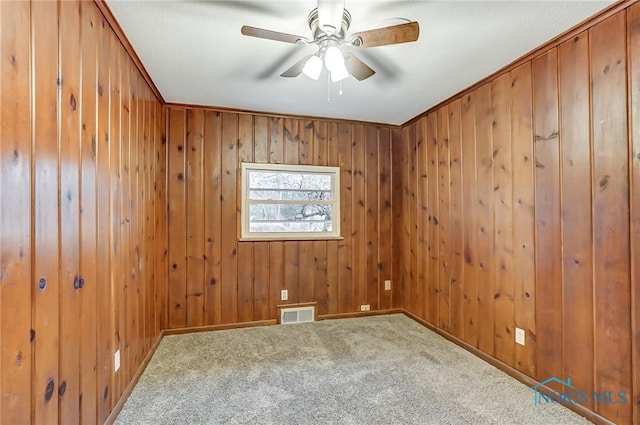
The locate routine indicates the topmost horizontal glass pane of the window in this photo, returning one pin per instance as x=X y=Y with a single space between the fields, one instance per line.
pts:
x=289 y=180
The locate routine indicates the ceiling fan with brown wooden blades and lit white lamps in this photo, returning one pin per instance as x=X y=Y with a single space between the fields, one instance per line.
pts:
x=329 y=23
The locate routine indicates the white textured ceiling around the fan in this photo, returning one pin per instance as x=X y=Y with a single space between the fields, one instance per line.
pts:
x=195 y=54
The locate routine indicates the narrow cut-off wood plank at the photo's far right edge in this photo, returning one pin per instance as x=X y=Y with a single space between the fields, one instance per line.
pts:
x=633 y=43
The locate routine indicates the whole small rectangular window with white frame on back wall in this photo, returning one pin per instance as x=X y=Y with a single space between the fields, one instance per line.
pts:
x=290 y=202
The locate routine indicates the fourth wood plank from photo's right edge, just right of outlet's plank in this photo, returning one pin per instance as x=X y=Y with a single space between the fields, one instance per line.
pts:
x=548 y=226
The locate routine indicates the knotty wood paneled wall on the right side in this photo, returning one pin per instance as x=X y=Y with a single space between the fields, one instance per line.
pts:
x=521 y=208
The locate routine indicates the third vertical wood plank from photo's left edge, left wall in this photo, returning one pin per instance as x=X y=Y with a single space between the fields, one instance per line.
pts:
x=69 y=297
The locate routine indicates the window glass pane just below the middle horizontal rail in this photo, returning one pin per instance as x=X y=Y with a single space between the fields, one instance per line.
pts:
x=290 y=213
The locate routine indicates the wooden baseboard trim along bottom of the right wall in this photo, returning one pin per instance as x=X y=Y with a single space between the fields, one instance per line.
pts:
x=514 y=373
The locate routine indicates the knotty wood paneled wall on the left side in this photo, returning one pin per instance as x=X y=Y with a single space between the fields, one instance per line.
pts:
x=82 y=207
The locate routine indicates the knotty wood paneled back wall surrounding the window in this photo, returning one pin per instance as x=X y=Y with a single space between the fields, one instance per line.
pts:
x=213 y=278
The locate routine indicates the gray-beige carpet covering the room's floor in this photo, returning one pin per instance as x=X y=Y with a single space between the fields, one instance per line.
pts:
x=374 y=370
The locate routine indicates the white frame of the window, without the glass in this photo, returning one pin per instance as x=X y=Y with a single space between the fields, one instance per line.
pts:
x=334 y=172
